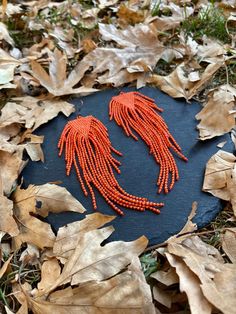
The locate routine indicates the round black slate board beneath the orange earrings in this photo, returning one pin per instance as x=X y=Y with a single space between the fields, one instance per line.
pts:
x=138 y=170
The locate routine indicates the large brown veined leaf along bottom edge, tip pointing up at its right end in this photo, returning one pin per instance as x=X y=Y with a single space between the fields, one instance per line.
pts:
x=126 y=293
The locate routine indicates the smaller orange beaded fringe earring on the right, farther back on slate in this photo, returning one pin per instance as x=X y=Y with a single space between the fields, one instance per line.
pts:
x=135 y=111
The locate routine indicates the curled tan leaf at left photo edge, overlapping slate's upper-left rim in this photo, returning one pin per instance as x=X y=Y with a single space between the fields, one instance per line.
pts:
x=33 y=112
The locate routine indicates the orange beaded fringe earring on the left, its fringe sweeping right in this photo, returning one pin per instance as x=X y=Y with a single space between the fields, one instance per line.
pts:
x=87 y=147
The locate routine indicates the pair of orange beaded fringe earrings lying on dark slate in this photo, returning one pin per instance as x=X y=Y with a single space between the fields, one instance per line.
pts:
x=88 y=148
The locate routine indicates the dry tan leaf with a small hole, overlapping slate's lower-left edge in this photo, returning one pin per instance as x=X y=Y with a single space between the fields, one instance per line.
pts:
x=52 y=198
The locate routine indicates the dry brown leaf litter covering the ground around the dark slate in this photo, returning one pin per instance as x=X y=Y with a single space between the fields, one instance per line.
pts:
x=51 y=50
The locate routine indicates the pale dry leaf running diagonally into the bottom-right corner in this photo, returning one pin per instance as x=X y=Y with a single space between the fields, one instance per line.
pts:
x=217 y=278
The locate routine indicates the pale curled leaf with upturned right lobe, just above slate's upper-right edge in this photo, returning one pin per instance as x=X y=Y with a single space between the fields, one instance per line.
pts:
x=178 y=85
